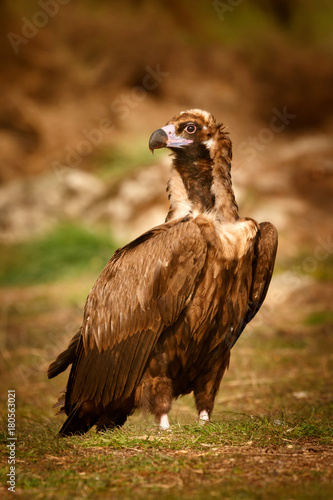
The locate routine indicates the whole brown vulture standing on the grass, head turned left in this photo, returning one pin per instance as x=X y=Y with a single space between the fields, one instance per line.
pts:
x=168 y=307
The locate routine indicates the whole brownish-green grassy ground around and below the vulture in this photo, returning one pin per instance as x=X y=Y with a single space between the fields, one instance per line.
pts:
x=270 y=437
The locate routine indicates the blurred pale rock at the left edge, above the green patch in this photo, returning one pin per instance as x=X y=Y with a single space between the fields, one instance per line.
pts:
x=32 y=206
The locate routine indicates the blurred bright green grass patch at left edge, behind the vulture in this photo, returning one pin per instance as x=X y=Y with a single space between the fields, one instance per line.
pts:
x=65 y=252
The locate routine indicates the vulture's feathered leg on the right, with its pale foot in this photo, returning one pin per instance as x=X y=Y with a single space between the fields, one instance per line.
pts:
x=206 y=387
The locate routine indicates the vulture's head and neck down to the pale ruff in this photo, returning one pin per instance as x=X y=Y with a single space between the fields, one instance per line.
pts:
x=200 y=179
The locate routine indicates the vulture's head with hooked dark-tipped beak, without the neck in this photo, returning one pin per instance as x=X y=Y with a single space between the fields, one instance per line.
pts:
x=193 y=133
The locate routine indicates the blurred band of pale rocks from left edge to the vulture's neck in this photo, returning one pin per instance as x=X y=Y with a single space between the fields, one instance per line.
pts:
x=32 y=206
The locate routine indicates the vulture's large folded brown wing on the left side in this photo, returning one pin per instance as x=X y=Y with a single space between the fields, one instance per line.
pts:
x=142 y=290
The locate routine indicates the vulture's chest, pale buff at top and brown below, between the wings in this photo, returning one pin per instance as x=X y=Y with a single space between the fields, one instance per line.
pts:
x=221 y=298
